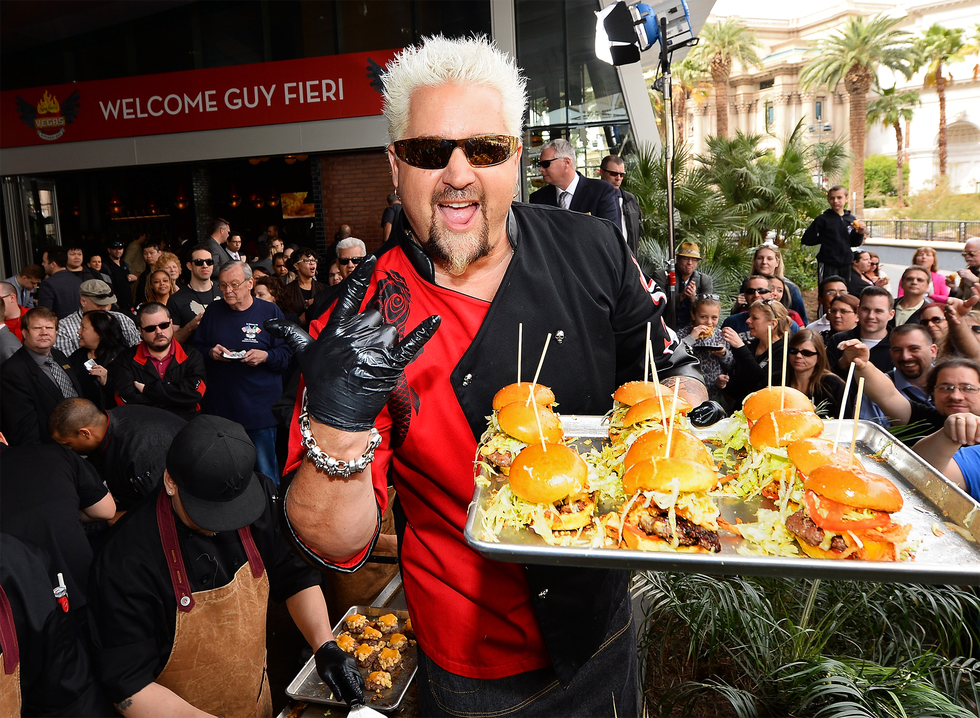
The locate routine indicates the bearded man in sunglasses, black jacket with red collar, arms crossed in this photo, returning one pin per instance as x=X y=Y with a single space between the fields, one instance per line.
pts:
x=159 y=371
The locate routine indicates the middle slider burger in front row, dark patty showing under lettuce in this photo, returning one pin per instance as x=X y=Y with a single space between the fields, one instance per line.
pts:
x=669 y=510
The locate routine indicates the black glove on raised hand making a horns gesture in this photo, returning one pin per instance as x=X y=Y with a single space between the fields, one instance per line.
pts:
x=356 y=361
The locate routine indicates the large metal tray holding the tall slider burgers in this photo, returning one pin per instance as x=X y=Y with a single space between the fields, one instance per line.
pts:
x=931 y=500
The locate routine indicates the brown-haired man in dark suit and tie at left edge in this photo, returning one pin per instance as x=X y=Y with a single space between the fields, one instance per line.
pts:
x=34 y=380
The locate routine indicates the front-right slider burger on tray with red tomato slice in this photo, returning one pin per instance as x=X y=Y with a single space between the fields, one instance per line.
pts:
x=847 y=514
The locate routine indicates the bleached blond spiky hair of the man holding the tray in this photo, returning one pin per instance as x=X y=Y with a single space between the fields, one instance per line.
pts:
x=459 y=61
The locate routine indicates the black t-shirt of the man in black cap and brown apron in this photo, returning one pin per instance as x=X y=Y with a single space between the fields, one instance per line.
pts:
x=133 y=611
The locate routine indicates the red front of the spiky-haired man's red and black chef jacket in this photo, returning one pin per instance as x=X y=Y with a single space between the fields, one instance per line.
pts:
x=472 y=616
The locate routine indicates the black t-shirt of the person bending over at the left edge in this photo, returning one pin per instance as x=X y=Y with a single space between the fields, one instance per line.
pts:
x=41 y=491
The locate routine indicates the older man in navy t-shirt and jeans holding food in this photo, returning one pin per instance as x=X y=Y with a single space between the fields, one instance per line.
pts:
x=244 y=362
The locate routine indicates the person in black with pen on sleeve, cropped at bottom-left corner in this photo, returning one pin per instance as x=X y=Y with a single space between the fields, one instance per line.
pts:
x=44 y=669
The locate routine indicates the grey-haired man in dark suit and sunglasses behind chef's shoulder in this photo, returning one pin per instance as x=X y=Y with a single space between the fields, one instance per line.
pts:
x=569 y=189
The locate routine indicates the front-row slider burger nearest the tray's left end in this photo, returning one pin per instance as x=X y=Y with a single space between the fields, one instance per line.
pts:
x=556 y=479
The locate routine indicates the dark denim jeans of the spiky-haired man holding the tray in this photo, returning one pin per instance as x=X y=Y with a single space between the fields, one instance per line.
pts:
x=609 y=678
